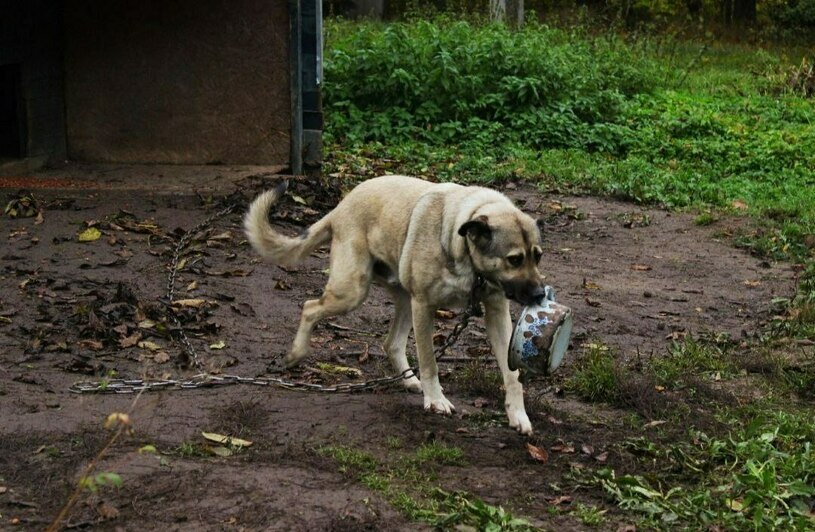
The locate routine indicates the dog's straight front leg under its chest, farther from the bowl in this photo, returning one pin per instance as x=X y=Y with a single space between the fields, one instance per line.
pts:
x=423 y=318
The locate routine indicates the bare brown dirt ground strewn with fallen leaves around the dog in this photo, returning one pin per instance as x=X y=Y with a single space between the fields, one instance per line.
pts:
x=636 y=279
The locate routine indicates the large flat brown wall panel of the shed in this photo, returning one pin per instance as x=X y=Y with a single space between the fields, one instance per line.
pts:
x=177 y=81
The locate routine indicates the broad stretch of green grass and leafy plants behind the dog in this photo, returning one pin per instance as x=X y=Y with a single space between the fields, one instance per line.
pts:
x=653 y=120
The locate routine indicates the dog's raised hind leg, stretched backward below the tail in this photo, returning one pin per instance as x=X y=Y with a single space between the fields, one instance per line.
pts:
x=348 y=283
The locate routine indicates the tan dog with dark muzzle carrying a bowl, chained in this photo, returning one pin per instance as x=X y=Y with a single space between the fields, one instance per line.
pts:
x=427 y=243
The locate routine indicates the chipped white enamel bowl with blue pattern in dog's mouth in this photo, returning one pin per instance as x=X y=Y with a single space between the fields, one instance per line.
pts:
x=541 y=336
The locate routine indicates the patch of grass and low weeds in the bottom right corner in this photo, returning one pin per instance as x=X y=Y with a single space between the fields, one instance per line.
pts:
x=761 y=476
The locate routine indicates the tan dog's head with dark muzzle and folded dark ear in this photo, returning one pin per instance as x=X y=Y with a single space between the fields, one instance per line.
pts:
x=505 y=247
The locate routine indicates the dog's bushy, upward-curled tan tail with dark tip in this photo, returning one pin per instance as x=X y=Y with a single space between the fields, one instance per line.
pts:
x=273 y=246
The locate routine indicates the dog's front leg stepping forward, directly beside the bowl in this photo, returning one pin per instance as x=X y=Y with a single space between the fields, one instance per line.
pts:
x=499 y=330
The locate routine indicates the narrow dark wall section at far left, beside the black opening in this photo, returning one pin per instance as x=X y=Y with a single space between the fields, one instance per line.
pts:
x=31 y=37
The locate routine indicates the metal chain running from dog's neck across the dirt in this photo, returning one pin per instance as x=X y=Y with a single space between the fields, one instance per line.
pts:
x=207 y=380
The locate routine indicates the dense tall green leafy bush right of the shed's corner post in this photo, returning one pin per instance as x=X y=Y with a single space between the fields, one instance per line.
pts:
x=452 y=82
